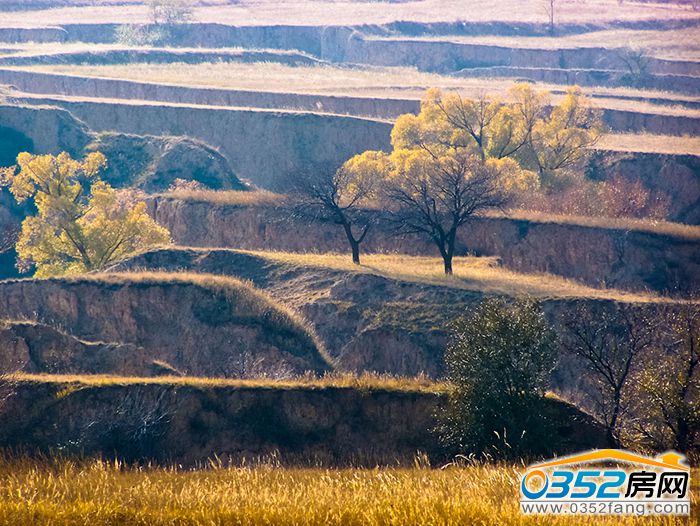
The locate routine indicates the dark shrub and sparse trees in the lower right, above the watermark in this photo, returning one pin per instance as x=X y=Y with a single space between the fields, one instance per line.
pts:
x=641 y=377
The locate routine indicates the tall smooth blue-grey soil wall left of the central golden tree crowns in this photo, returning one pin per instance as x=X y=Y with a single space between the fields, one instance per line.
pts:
x=266 y=147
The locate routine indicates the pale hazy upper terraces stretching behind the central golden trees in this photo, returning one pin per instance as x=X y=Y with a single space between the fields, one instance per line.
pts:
x=639 y=64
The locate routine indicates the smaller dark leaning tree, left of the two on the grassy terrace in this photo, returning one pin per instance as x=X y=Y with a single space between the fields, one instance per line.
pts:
x=337 y=197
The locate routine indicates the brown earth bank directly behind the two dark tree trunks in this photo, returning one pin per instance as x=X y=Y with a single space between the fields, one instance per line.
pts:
x=620 y=257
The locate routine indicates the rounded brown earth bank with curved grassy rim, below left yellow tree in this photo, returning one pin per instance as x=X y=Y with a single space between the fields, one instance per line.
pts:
x=201 y=325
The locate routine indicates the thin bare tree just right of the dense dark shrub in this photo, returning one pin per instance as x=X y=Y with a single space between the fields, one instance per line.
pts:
x=611 y=343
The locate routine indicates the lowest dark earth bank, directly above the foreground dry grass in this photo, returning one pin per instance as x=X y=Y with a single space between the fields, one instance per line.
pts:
x=136 y=420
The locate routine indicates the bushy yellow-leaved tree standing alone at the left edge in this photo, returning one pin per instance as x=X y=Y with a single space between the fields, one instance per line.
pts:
x=82 y=223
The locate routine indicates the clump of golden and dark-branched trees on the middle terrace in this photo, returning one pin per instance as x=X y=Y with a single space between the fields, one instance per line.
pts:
x=456 y=158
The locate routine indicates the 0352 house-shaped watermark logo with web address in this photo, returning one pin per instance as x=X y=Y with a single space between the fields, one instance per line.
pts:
x=607 y=482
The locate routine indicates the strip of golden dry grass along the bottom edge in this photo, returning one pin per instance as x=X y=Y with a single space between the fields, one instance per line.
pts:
x=63 y=493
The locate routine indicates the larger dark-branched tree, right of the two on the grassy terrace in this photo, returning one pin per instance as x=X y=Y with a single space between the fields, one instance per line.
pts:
x=443 y=199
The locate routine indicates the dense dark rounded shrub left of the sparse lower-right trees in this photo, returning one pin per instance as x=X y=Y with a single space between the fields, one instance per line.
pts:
x=499 y=363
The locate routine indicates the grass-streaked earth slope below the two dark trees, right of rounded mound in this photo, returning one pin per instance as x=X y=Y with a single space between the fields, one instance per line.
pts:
x=369 y=320
